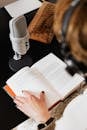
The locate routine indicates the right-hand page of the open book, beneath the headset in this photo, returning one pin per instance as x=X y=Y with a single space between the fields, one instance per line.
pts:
x=54 y=70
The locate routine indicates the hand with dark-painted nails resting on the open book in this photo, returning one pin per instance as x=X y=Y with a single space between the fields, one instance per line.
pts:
x=32 y=106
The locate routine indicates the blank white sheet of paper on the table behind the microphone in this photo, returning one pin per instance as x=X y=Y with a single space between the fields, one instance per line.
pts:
x=21 y=7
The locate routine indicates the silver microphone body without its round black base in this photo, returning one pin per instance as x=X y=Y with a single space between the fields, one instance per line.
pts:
x=19 y=36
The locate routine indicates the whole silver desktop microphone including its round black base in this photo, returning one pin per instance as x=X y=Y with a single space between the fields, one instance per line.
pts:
x=19 y=38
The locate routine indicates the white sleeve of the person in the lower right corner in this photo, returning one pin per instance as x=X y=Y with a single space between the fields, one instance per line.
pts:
x=75 y=115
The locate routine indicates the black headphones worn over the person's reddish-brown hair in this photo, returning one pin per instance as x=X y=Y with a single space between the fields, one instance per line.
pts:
x=72 y=64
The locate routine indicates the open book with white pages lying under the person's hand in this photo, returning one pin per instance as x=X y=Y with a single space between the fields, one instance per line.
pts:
x=49 y=75
